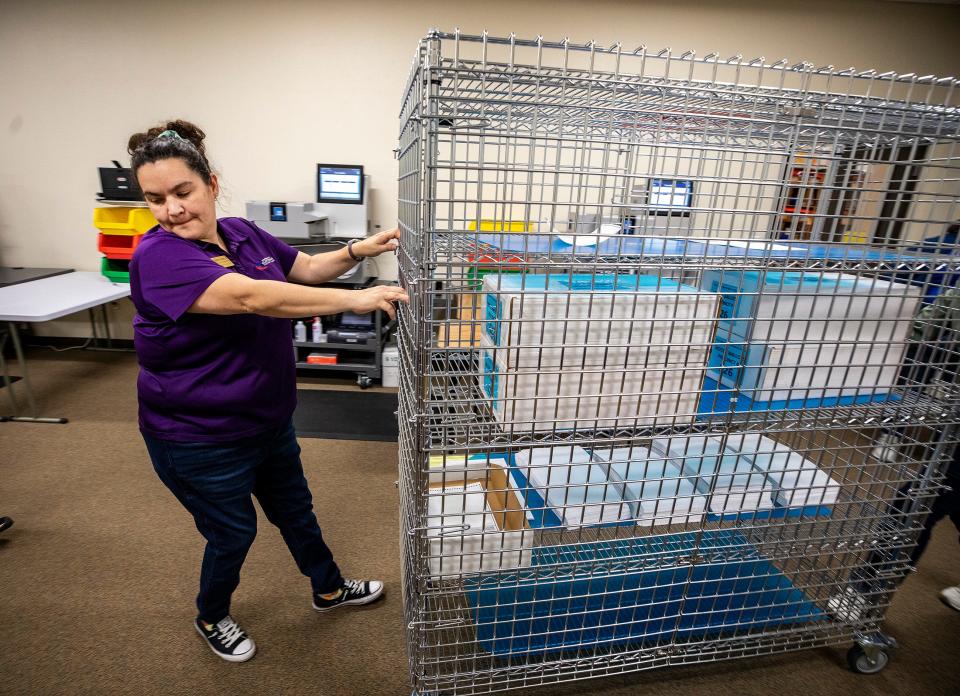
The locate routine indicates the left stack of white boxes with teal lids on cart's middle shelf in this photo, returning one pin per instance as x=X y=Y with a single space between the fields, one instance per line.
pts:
x=564 y=351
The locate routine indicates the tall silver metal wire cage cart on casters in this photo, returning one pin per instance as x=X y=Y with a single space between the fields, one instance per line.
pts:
x=677 y=372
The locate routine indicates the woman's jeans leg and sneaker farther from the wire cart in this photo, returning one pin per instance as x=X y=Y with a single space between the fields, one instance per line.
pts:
x=214 y=482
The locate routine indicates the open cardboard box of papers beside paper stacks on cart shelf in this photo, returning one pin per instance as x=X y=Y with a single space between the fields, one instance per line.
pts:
x=476 y=523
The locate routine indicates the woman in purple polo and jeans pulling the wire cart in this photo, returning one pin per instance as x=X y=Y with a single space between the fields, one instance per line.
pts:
x=217 y=382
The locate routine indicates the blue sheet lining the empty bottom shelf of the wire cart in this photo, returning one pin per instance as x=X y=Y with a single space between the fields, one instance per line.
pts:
x=554 y=614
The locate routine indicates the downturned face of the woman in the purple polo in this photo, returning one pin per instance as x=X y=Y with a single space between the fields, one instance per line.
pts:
x=180 y=200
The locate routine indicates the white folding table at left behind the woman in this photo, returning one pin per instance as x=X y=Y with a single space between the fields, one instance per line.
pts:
x=44 y=300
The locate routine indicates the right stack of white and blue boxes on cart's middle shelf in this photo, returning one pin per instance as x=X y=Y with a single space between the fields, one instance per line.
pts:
x=815 y=337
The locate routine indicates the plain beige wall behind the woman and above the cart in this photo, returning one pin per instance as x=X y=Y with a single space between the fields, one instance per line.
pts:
x=280 y=86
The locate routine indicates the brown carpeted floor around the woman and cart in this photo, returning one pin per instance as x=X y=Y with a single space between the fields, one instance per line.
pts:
x=98 y=574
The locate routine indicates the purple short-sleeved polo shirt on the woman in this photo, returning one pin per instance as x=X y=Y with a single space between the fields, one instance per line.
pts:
x=205 y=377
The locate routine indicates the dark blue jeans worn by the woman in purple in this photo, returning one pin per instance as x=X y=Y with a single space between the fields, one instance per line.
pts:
x=214 y=481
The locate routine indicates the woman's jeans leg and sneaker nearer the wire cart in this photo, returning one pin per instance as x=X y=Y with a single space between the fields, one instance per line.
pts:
x=283 y=493
